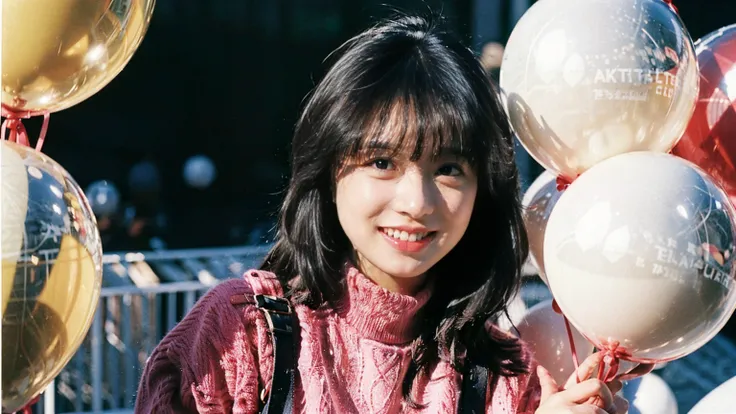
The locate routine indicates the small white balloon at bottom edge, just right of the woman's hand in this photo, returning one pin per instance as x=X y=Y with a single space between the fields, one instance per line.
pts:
x=650 y=394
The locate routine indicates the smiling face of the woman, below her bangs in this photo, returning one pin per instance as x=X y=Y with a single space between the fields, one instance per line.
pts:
x=402 y=215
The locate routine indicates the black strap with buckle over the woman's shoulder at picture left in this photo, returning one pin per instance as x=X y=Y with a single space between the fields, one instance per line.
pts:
x=284 y=329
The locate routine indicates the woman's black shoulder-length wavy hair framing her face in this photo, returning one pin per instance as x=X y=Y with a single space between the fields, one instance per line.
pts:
x=411 y=61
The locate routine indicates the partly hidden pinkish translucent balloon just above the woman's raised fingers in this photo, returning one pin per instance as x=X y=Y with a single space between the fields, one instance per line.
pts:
x=544 y=331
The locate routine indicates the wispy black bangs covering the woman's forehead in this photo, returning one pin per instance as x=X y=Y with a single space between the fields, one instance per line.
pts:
x=411 y=109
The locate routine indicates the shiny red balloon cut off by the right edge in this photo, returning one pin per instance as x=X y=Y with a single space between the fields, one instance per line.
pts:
x=710 y=140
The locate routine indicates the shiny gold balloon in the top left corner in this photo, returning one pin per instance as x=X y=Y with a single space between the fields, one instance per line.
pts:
x=57 y=53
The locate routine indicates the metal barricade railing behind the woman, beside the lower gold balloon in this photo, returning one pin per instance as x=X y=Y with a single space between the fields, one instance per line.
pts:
x=144 y=296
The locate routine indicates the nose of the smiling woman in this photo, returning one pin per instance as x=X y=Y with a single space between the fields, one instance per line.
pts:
x=415 y=195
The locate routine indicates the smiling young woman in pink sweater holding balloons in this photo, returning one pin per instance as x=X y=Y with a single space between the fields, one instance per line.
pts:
x=400 y=239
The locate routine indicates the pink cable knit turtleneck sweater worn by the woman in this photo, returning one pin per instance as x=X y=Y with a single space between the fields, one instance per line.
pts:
x=352 y=359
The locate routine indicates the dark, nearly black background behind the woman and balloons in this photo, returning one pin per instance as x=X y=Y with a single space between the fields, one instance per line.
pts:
x=226 y=78
